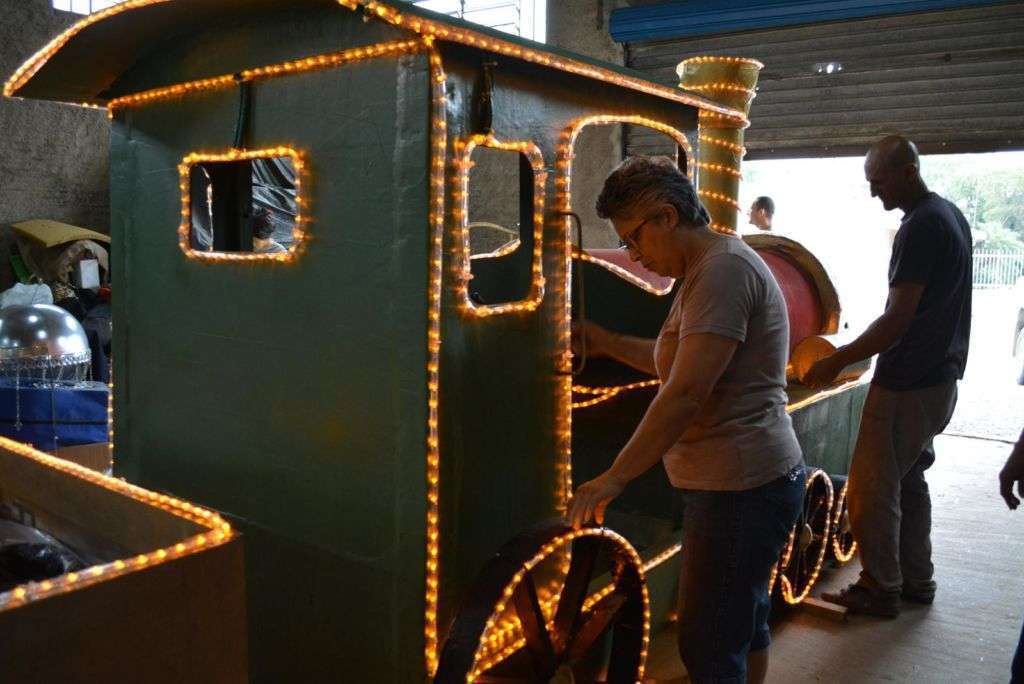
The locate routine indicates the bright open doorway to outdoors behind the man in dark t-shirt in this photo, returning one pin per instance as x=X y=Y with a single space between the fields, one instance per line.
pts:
x=827 y=205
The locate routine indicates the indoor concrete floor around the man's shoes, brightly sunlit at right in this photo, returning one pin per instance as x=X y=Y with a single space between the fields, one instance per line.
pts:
x=970 y=633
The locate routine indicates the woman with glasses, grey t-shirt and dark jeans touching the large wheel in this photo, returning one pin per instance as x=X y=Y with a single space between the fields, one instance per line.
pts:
x=718 y=422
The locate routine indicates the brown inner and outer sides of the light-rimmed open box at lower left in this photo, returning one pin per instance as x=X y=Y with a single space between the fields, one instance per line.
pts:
x=179 y=621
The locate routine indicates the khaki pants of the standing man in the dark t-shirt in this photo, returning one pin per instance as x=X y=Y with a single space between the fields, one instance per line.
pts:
x=890 y=506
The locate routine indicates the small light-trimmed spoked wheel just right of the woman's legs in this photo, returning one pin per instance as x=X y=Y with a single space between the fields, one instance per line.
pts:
x=809 y=541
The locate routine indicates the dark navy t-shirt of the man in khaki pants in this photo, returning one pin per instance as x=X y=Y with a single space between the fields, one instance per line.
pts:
x=933 y=248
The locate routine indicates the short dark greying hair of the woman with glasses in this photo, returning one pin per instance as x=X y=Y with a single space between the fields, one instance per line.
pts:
x=644 y=181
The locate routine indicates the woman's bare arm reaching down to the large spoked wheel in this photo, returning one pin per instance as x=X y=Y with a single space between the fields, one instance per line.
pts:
x=700 y=362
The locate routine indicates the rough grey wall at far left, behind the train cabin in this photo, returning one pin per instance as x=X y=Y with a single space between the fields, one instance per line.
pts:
x=54 y=158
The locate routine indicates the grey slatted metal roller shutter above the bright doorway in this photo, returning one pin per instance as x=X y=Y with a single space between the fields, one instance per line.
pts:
x=952 y=81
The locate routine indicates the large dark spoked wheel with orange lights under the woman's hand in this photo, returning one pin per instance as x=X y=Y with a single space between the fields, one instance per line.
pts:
x=533 y=616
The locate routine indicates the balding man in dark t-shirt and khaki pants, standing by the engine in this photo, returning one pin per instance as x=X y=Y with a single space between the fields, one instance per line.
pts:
x=922 y=341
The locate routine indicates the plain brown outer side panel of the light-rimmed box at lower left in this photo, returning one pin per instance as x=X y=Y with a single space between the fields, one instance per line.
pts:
x=175 y=622
